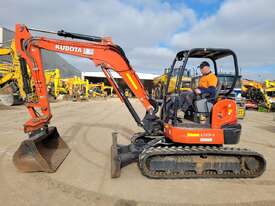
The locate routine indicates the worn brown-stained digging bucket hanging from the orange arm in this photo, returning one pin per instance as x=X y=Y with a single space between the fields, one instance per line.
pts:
x=41 y=153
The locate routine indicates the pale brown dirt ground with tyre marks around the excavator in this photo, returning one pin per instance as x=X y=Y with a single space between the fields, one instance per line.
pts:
x=84 y=177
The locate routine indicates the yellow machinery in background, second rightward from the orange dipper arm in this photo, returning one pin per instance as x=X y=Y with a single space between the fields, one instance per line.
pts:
x=78 y=89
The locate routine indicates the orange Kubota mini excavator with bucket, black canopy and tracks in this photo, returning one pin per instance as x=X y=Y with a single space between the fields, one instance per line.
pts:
x=170 y=147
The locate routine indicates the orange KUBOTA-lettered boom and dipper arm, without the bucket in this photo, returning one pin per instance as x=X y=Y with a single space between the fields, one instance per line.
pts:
x=101 y=51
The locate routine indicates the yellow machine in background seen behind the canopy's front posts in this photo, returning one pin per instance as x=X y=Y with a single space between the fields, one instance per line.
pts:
x=159 y=83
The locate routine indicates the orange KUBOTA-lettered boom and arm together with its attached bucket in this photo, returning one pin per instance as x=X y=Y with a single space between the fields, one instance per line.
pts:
x=43 y=140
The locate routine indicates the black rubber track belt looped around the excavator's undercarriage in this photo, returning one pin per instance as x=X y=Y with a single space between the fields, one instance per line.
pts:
x=147 y=154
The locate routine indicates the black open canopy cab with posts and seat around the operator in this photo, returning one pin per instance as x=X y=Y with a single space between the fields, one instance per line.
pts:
x=202 y=106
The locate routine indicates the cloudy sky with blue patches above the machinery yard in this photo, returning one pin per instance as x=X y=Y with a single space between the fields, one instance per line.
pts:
x=152 y=31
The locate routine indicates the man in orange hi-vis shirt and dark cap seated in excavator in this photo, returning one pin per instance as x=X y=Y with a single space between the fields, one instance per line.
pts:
x=207 y=87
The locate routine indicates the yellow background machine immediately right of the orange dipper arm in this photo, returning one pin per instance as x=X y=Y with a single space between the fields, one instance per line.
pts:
x=55 y=84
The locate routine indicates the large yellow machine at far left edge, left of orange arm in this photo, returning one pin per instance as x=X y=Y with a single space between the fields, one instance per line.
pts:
x=11 y=83
